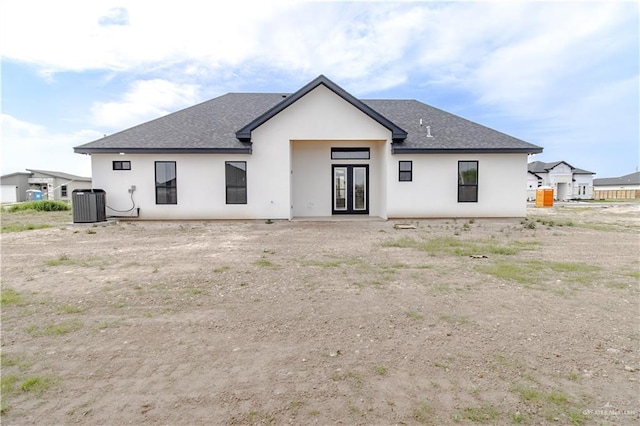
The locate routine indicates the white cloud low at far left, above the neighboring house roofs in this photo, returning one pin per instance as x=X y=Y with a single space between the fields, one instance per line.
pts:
x=30 y=146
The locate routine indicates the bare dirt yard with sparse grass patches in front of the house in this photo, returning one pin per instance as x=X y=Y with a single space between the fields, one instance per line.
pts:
x=498 y=321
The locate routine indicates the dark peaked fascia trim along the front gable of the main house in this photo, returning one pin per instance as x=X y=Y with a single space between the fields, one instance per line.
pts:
x=244 y=134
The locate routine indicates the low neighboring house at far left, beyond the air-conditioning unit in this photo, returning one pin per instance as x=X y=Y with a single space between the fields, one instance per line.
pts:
x=53 y=185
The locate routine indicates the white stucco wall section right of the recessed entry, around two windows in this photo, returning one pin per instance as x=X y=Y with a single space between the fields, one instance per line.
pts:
x=434 y=189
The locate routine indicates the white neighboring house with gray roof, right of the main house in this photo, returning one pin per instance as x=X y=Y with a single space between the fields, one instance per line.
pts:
x=568 y=182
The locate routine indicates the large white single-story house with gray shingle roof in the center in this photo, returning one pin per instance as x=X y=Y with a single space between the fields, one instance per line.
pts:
x=318 y=152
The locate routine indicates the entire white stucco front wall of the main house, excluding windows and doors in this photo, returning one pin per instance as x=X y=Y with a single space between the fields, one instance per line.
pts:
x=289 y=173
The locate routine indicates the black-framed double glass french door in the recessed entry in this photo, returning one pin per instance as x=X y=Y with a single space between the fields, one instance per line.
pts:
x=350 y=189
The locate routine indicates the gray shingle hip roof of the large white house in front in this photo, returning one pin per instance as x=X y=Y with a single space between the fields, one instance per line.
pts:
x=212 y=126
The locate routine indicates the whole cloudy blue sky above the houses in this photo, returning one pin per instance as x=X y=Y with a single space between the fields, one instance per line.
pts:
x=562 y=75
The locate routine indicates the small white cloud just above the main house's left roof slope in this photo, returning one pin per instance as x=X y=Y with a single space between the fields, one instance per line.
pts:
x=146 y=100
